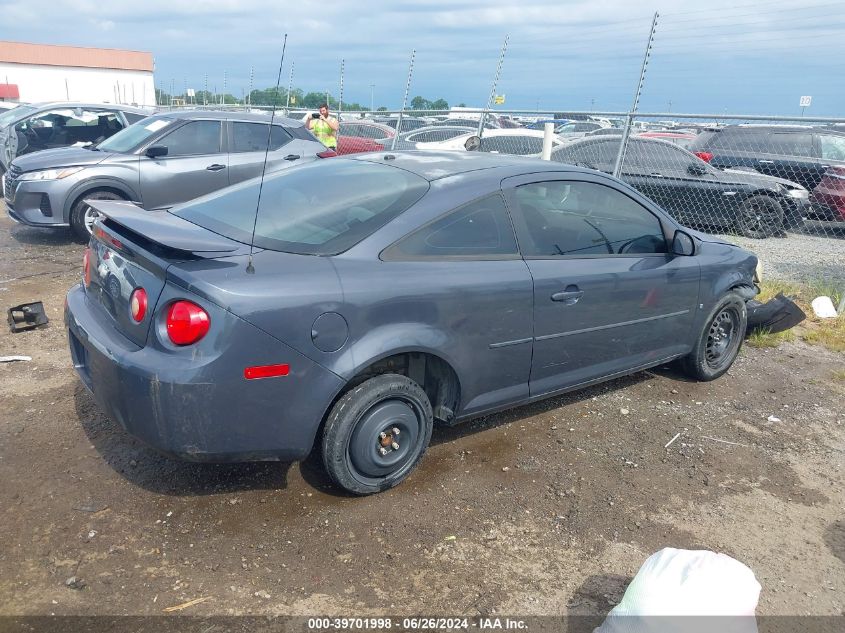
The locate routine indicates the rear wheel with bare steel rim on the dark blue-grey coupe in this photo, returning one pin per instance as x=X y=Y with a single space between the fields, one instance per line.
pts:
x=352 y=441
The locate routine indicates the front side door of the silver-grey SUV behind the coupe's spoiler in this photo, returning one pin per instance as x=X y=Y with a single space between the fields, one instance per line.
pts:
x=195 y=164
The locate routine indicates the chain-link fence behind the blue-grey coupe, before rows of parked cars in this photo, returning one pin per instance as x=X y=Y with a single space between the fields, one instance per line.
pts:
x=770 y=184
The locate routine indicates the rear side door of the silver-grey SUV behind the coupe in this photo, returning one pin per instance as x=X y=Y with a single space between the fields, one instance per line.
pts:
x=248 y=146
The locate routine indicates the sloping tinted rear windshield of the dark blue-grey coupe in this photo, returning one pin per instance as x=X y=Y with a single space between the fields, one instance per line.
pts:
x=321 y=208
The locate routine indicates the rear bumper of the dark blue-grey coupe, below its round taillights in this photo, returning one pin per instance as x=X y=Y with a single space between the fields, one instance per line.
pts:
x=199 y=406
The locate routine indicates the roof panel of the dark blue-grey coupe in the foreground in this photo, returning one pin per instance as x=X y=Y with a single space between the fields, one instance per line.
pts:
x=436 y=165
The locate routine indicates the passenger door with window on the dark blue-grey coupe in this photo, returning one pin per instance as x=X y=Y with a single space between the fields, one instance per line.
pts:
x=608 y=297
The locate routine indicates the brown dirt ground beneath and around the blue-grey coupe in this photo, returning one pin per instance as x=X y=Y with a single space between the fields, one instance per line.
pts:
x=547 y=509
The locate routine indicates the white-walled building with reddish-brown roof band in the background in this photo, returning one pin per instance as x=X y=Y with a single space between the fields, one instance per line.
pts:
x=69 y=73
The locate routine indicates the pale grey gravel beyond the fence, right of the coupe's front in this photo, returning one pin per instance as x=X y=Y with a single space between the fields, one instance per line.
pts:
x=816 y=255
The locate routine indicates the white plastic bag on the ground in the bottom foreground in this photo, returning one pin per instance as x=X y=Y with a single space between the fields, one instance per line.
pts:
x=682 y=590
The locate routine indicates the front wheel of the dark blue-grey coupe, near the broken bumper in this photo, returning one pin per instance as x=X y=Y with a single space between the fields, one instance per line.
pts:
x=720 y=340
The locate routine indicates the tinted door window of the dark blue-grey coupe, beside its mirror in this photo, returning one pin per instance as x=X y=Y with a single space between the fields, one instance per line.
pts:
x=575 y=218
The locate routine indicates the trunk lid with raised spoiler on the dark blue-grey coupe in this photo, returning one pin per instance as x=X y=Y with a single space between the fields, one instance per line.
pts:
x=132 y=248
